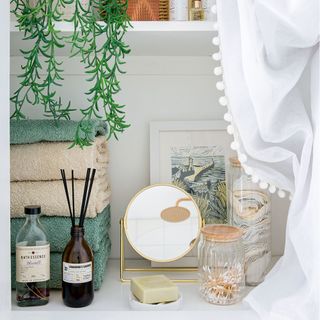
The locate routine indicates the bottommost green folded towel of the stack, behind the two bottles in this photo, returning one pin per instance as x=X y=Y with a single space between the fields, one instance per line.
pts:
x=100 y=261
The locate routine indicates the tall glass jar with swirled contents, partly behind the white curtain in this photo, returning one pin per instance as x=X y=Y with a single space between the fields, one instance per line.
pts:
x=249 y=207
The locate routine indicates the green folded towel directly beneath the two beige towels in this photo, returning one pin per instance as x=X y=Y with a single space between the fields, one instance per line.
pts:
x=58 y=230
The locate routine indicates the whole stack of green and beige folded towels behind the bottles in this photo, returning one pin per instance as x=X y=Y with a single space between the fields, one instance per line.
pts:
x=39 y=149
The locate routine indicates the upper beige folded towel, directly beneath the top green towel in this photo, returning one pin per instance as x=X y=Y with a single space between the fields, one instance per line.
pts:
x=43 y=161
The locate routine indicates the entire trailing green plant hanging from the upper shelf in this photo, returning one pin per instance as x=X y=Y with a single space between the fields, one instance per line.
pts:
x=102 y=50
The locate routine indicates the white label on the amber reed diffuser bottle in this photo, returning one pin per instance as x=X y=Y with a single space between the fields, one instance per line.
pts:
x=77 y=272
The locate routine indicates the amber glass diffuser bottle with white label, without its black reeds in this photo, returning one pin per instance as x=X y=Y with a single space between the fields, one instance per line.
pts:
x=77 y=271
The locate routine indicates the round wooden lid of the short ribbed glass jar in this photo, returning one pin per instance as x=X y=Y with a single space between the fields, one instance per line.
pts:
x=221 y=232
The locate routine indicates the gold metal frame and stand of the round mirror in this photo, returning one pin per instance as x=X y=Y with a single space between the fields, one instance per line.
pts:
x=123 y=235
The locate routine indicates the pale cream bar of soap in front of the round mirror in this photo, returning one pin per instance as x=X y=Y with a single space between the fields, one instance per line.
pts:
x=154 y=289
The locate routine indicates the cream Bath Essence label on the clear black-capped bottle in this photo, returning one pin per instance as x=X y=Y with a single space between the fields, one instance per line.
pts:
x=33 y=263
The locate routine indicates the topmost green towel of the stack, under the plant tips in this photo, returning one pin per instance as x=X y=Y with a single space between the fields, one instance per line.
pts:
x=33 y=131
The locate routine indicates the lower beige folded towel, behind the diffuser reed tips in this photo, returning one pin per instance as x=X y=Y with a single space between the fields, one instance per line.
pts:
x=51 y=196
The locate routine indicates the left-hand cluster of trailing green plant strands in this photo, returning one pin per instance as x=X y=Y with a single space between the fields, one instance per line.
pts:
x=36 y=20
